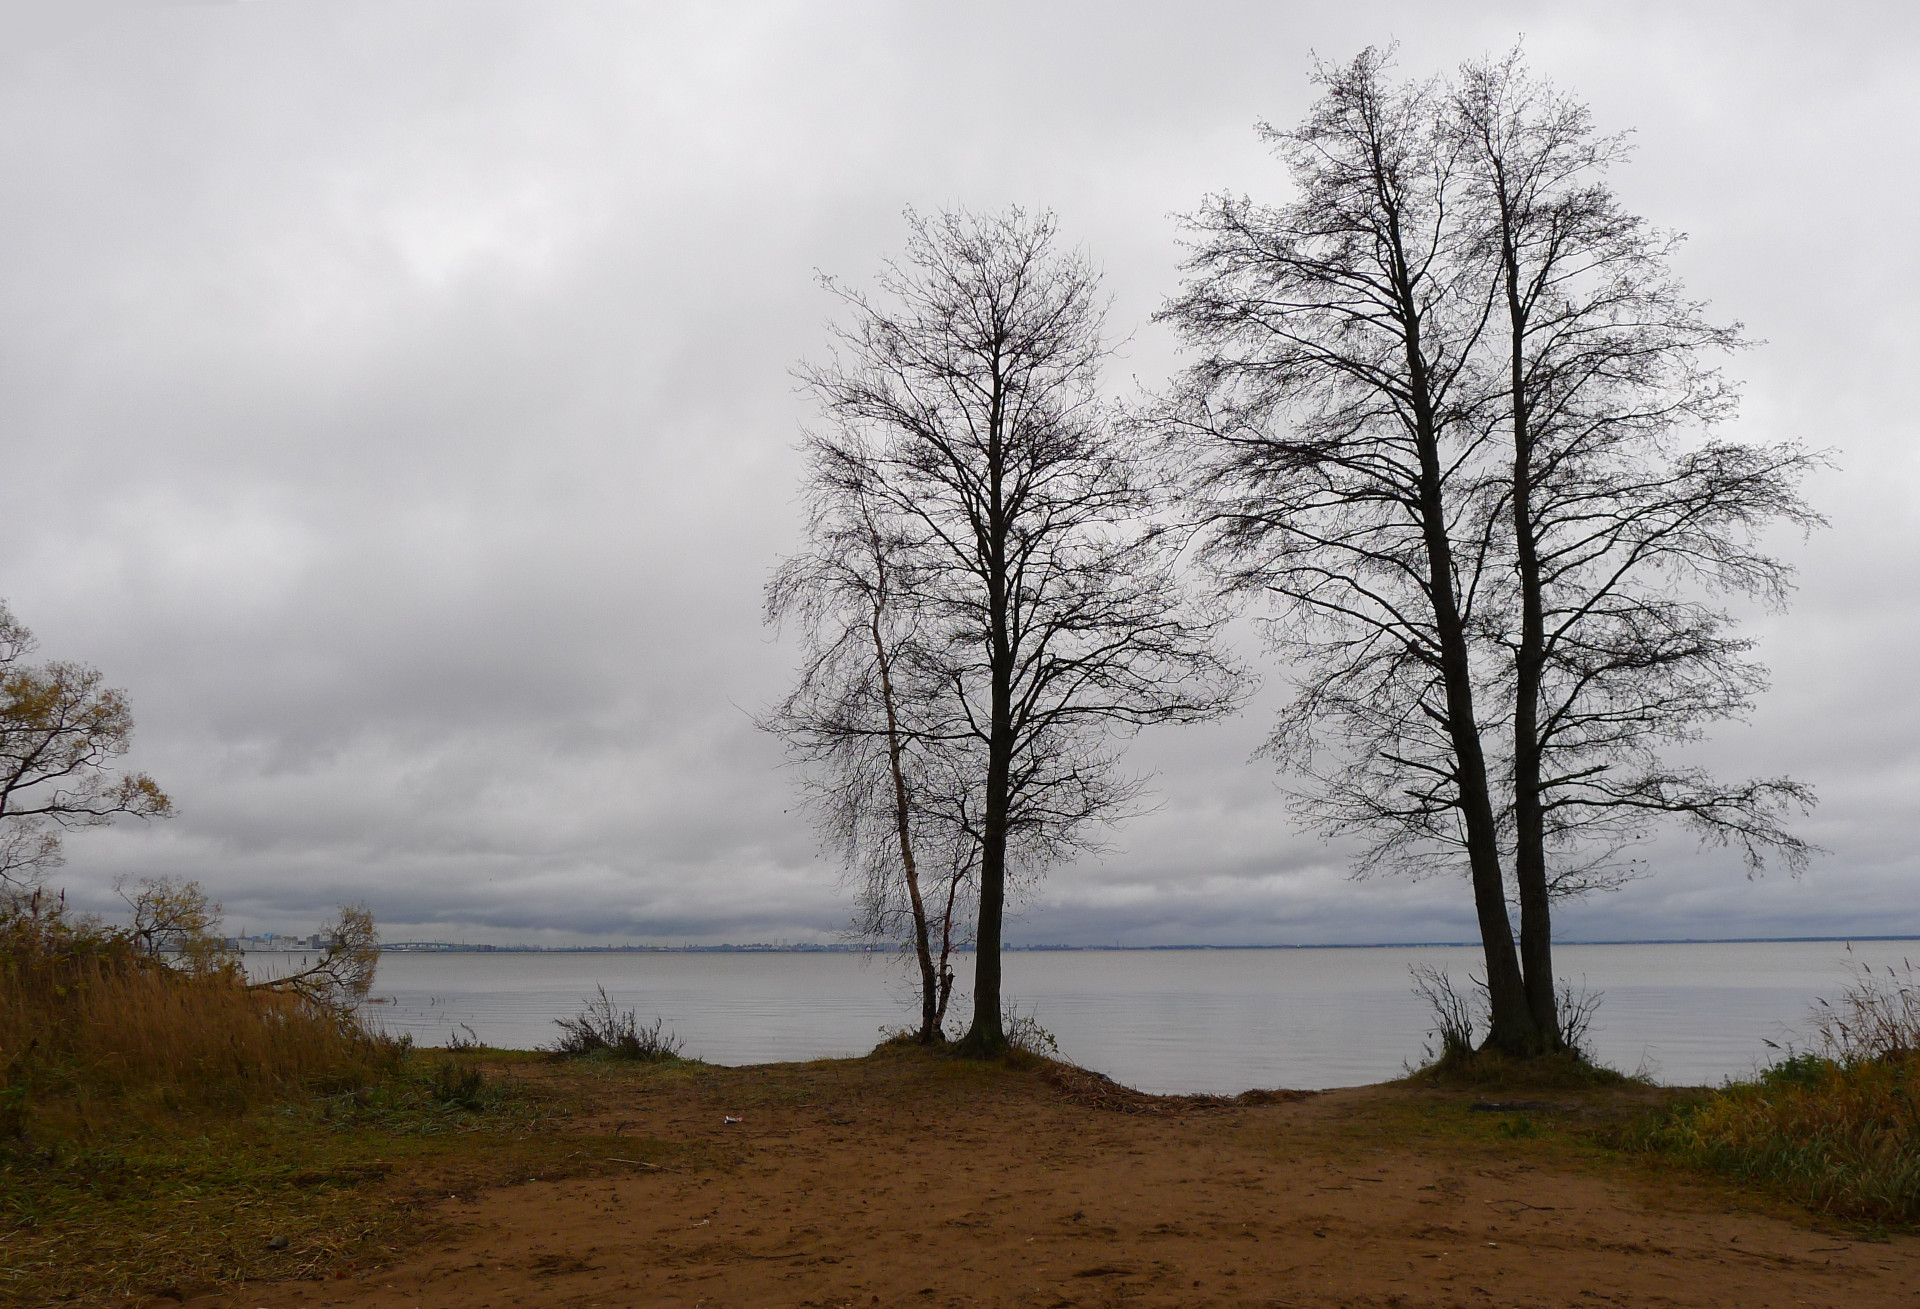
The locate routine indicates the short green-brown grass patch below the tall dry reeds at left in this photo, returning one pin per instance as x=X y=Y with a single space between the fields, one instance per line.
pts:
x=120 y=1199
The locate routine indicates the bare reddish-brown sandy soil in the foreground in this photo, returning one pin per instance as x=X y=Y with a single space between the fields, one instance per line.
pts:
x=921 y=1181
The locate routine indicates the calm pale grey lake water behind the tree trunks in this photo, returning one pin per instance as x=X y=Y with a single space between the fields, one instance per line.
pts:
x=1159 y=1020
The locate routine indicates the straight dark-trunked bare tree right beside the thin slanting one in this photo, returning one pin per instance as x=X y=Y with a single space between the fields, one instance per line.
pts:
x=963 y=406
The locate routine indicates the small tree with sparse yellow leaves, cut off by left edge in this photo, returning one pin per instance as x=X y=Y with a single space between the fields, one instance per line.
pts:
x=60 y=736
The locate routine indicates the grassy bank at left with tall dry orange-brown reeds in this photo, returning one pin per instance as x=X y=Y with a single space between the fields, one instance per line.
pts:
x=166 y=1126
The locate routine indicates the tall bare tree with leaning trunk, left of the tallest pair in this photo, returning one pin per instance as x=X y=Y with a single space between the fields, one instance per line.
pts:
x=1333 y=421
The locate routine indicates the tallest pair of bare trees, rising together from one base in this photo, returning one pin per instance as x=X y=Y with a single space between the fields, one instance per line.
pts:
x=1451 y=416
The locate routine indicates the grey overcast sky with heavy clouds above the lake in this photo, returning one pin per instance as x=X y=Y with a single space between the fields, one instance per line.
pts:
x=396 y=402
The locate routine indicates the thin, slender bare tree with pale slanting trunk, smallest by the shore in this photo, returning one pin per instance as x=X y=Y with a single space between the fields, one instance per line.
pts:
x=884 y=792
